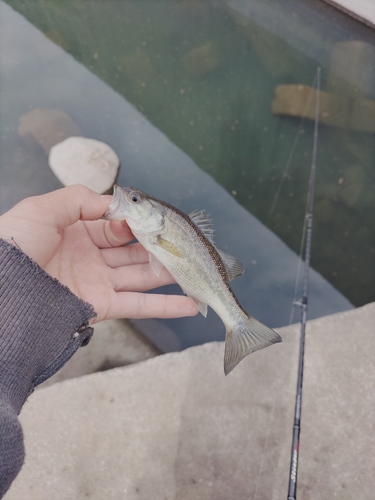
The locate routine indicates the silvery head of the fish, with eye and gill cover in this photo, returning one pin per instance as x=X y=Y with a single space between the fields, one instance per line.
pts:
x=139 y=211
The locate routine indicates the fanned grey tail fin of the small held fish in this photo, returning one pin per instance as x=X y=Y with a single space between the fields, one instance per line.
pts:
x=249 y=336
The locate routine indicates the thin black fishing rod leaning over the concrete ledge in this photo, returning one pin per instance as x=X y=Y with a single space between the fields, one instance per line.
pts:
x=303 y=303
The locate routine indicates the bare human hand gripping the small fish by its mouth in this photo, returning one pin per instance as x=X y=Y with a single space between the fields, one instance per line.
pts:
x=61 y=232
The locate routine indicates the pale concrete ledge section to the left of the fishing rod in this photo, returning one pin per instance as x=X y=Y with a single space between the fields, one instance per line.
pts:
x=170 y=427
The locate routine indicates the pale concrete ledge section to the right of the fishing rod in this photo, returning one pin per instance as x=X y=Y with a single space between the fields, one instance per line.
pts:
x=338 y=430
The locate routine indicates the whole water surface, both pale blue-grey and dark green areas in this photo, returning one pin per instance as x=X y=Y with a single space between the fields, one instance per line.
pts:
x=204 y=74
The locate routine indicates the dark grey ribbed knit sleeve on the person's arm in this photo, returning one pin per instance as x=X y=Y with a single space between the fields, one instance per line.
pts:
x=42 y=324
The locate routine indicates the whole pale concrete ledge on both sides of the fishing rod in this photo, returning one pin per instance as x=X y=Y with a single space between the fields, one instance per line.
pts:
x=173 y=427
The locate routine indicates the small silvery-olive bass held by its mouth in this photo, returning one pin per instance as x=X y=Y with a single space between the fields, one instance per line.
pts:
x=184 y=245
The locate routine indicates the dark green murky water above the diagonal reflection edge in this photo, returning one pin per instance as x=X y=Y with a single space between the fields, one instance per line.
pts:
x=205 y=74
